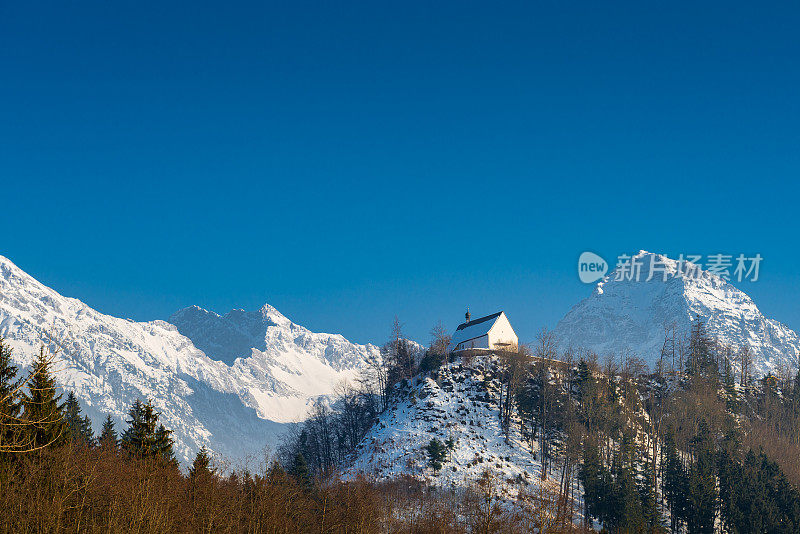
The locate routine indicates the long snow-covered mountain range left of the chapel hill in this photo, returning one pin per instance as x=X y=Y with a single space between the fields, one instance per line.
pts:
x=261 y=371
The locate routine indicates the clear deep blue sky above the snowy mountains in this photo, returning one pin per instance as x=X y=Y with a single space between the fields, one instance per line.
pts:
x=347 y=162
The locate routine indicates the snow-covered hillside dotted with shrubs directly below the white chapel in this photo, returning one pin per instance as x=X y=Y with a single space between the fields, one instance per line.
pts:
x=457 y=406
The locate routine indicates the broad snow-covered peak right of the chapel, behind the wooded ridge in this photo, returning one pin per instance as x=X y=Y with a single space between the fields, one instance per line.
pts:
x=626 y=315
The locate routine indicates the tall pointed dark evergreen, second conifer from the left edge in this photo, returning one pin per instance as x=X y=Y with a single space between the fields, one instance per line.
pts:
x=43 y=413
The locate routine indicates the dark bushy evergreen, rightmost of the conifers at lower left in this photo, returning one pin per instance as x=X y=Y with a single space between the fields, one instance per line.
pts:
x=144 y=437
